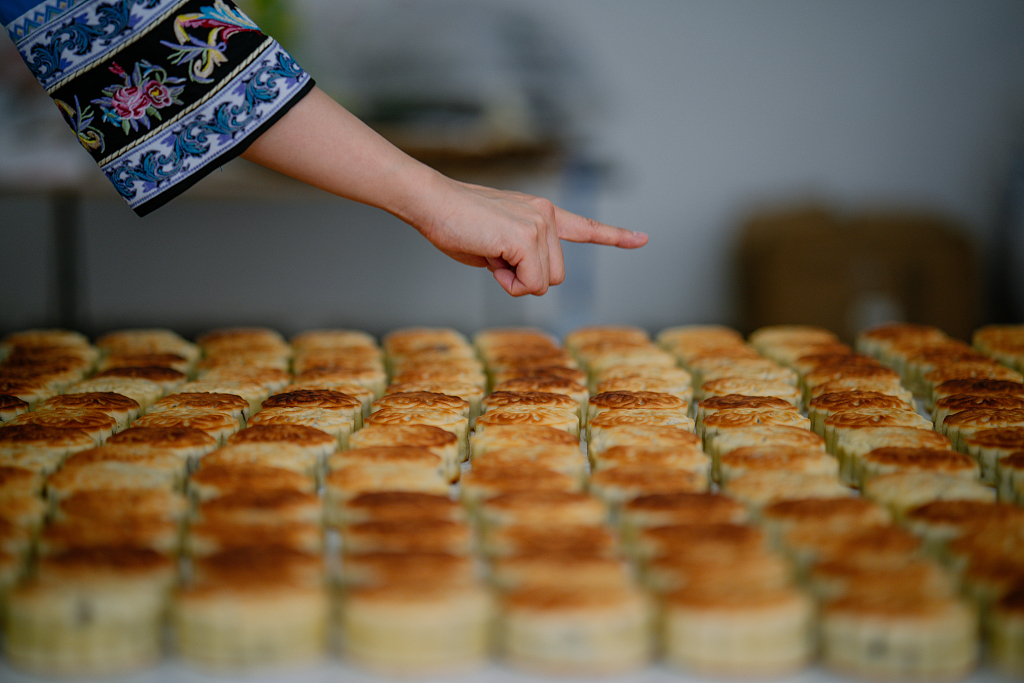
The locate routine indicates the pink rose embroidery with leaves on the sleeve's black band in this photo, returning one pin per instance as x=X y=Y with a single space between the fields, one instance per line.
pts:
x=144 y=94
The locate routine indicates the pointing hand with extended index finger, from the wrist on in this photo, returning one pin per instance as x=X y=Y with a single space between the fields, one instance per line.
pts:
x=517 y=237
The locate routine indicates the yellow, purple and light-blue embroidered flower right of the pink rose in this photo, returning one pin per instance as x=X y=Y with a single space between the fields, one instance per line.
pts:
x=204 y=57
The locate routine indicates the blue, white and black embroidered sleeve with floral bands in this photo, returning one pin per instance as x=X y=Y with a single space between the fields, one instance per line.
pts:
x=160 y=93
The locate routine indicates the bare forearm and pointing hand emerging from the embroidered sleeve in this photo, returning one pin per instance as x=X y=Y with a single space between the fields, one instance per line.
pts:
x=516 y=236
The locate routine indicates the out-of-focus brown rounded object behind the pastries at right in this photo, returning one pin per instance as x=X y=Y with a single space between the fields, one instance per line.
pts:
x=813 y=266
